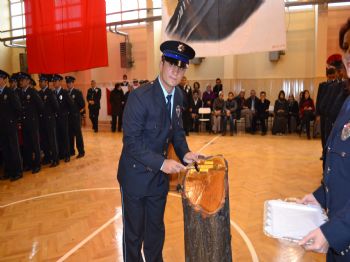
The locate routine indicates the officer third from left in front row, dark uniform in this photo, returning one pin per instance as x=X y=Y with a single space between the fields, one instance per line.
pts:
x=48 y=122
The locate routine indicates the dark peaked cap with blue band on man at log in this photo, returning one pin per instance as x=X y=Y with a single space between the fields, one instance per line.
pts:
x=178 y=53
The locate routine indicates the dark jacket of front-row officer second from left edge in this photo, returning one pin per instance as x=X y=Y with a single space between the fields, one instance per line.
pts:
x=32 y=107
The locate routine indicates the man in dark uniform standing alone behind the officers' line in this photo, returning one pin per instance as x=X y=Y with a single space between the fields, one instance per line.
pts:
x=93 y=97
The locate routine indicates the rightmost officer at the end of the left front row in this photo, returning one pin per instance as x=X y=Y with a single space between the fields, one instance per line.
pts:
x=74 y=118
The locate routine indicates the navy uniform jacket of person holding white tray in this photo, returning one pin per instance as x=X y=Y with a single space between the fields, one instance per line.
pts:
x=334 y=194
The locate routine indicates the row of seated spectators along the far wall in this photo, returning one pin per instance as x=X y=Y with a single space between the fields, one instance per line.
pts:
x=288 y=114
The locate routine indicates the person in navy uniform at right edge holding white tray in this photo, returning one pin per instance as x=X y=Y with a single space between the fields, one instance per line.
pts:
x=333 y=195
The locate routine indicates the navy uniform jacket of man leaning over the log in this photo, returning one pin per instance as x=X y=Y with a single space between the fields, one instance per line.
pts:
x=148 y=130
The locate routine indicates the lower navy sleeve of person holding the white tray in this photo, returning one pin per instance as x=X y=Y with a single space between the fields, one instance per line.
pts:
x=337 y=230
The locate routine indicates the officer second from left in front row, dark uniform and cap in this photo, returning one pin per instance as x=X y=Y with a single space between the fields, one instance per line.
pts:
x=32 y=106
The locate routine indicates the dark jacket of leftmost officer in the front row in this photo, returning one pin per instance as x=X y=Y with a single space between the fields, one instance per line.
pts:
x=10 y=110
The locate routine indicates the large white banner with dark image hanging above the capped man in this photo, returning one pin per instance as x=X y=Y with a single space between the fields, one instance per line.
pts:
x=224 y=27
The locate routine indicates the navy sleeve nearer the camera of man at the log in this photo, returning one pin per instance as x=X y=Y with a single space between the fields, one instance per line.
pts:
x=134 y=121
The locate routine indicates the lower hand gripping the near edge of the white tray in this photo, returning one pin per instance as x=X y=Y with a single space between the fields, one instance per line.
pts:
x=315 y=241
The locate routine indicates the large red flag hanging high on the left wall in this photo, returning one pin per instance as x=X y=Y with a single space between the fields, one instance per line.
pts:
x=65 y=35
